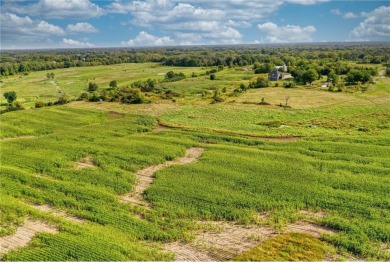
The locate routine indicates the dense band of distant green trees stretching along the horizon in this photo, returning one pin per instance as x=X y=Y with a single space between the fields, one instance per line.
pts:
x=24 y=61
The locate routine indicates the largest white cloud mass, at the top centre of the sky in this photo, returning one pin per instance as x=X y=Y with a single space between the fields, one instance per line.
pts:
x=205 y=21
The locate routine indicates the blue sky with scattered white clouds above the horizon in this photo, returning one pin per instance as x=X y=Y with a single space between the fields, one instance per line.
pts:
x=30 y=24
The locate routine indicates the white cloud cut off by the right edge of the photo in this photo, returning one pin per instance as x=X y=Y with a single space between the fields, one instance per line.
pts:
x=376 y=26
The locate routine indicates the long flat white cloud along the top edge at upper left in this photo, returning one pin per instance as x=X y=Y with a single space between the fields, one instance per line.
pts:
x=58 y=9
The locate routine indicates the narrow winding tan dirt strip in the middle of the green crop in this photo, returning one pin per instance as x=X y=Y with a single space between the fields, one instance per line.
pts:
x=145 y=176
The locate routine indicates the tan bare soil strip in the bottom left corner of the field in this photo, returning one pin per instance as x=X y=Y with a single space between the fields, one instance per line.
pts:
x=24 y=234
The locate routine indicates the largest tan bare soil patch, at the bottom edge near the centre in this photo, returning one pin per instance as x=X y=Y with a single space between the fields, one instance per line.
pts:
x=222 y=244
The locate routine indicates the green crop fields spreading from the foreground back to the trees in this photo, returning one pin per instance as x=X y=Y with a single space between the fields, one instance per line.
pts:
x=322 y=164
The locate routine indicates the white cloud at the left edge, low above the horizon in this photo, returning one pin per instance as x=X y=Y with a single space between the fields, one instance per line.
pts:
x=21 y=30
